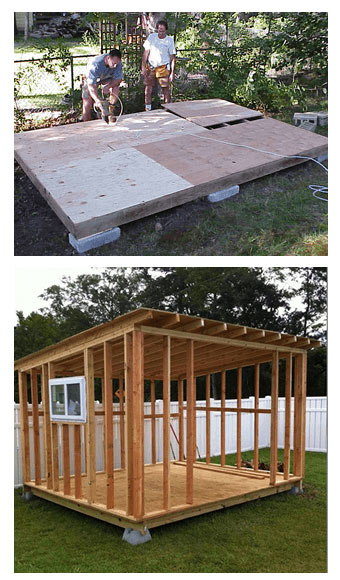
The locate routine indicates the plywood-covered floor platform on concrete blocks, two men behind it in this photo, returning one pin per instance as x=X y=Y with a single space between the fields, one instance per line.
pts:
x=96 y=176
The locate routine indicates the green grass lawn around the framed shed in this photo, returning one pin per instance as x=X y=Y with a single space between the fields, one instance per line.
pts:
x=283 y=533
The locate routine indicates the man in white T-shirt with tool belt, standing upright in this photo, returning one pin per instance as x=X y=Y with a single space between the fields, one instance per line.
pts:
x=158 y=62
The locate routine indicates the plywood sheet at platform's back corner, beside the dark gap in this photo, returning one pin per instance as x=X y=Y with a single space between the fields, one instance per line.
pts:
x=211 y=112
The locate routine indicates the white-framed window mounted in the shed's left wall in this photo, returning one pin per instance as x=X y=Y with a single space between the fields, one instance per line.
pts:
x=68 y=399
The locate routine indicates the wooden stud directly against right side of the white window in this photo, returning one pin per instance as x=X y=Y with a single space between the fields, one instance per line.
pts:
x=90 y=427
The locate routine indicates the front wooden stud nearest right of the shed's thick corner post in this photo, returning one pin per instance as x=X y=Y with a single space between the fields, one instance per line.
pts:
x=166 y=422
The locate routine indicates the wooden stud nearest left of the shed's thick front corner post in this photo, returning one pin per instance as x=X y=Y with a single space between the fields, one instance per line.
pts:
x=109 y=450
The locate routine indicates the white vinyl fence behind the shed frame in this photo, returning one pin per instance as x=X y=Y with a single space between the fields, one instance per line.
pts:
x=316 y=432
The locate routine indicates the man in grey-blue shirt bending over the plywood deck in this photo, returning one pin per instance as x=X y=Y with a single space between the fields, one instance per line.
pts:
x=105 y=70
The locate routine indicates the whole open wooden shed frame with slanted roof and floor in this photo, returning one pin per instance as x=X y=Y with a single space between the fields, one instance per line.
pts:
x=148 y=344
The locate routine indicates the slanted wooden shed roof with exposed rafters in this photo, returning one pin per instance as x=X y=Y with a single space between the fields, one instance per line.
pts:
x=218 y=345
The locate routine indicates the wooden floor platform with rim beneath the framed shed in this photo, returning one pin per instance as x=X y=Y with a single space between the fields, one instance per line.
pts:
x=214 y=488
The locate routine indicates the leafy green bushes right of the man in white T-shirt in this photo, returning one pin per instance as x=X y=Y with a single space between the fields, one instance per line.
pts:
x=242 y=54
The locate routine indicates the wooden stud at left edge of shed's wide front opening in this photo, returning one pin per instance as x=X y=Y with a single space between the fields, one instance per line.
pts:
x=190 y=423
